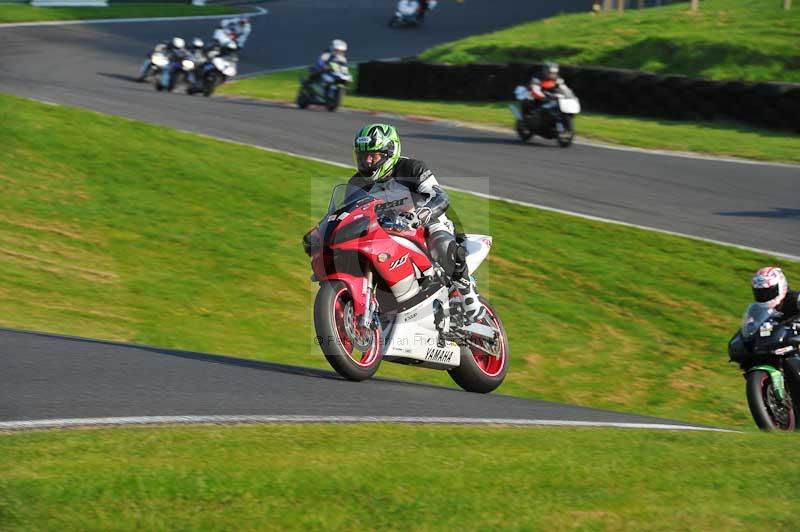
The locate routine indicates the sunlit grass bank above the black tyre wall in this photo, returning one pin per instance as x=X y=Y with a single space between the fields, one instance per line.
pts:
x=754 y=40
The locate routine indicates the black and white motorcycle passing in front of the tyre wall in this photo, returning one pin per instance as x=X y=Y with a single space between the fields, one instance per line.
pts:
x=551 y=120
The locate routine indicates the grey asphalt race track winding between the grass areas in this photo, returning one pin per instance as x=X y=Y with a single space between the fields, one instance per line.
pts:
x=92 y=65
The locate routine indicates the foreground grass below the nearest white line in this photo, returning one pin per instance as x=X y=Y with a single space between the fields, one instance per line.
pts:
x=395 y=477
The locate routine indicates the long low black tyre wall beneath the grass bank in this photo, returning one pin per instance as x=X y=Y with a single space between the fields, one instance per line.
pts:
x=606 y=90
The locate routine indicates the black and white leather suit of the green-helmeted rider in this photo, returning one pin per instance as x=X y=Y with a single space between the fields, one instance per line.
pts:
x=425 y=191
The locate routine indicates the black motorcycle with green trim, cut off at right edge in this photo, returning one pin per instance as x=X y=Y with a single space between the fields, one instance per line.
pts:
x=767 y=351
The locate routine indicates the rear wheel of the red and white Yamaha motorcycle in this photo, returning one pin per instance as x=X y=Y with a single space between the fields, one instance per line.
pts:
x=479 y=371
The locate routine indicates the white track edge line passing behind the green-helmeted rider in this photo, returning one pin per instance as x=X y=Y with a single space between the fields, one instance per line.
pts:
x=785 y=256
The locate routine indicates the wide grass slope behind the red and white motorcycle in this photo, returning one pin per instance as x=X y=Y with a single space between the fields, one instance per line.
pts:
x=142 y=233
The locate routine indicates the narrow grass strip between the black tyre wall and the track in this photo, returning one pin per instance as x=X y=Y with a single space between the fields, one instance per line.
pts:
x=713 y=138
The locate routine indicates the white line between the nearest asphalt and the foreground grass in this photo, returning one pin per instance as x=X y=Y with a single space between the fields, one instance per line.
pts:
x=171 y=420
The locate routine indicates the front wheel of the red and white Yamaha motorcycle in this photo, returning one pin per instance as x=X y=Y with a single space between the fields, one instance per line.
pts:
x=354 y=352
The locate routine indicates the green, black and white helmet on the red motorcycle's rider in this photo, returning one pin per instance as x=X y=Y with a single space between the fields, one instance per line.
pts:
x=381 y=139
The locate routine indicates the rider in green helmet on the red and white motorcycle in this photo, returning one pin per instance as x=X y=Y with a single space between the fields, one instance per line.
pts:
x=376 y=151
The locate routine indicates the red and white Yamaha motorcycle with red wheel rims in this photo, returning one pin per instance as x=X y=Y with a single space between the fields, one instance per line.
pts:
x=382 y=298
